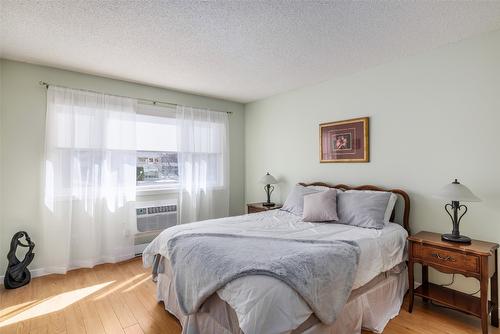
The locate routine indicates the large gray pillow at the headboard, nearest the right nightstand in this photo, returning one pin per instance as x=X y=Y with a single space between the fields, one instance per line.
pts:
x=364 y=209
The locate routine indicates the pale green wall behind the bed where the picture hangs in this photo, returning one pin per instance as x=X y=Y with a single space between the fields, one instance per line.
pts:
x=434 y=117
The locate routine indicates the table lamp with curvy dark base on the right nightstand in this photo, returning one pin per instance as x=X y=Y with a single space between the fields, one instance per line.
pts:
x=456 y=193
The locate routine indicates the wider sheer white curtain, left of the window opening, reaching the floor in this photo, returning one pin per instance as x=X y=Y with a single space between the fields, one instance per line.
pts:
x=90 y=178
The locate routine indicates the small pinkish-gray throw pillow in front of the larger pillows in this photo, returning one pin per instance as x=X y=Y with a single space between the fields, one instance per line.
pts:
x=320 y=207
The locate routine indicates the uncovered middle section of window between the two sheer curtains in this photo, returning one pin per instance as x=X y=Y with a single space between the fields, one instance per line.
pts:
x=156 y=133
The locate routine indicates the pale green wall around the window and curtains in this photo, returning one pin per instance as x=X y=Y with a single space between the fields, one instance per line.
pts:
x=22 y=124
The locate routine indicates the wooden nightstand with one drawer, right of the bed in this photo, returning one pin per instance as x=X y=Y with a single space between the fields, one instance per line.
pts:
x=477 y=259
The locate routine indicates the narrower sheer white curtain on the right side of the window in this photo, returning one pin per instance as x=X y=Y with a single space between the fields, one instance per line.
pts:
x=203 y=158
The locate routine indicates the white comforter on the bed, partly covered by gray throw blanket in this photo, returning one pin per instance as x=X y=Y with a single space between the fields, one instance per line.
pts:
x=266 y=305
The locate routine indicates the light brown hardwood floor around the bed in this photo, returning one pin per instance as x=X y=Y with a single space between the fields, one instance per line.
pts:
x=120 y=298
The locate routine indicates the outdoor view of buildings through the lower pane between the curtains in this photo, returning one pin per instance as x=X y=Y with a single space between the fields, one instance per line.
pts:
x=157 y=168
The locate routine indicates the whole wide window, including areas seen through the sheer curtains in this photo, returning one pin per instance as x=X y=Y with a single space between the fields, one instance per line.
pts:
x=138 y=140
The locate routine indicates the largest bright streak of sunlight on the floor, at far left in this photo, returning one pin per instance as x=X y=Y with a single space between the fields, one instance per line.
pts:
x=53 y=304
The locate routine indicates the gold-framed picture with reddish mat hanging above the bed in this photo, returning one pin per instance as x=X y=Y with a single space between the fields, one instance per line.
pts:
x=344 y=141
